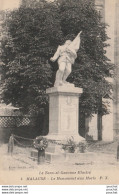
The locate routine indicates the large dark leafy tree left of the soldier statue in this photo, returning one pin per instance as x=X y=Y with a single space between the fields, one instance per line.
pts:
x=25 y=52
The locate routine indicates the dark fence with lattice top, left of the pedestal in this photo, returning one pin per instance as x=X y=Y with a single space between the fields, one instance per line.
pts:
x=25 y=126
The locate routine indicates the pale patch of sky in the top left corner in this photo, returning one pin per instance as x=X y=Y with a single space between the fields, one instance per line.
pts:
x=9 y=4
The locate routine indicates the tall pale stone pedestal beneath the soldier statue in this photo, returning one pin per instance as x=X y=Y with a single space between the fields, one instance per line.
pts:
x=63 y=117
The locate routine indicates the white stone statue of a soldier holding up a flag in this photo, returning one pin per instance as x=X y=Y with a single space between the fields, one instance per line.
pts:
x=66 y=55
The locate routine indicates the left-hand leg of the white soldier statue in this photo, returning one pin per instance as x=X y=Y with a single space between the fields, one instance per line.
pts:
x=59 y=74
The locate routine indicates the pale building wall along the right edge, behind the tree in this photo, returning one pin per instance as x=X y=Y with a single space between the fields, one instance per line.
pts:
x=110 y=14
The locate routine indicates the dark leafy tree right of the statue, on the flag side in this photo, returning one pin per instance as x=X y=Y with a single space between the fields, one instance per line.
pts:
x=92 y=67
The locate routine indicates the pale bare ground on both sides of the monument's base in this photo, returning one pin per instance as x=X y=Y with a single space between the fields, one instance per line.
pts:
x=97 y=154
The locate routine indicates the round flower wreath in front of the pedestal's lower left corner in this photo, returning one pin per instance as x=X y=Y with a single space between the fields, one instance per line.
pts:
x=40 y=143
